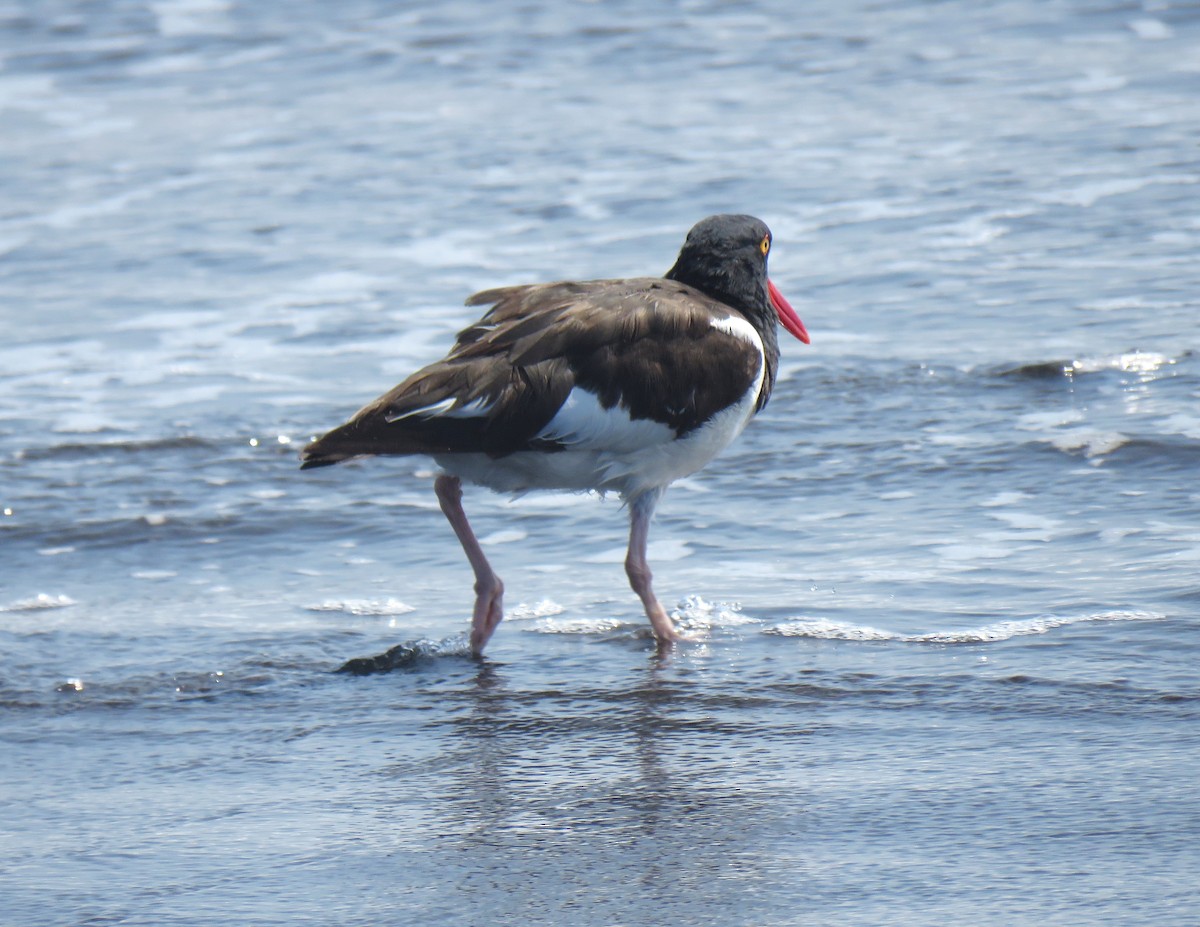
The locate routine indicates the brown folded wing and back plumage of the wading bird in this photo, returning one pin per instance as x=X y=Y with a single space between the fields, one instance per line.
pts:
x=645 y=345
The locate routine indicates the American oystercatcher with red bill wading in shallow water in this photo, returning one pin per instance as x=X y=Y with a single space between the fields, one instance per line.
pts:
x=604 y=385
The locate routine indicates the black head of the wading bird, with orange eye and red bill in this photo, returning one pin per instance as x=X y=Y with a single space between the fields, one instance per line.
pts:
x=727 y=259
